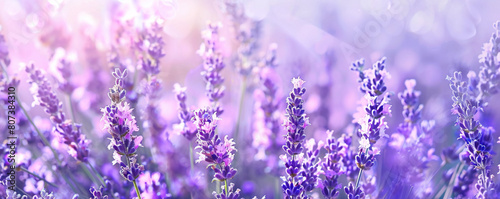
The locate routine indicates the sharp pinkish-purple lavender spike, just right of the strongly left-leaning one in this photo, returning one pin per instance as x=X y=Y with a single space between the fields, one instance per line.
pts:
x=120 y=123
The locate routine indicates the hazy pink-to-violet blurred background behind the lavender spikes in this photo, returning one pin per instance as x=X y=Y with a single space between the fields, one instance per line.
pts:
x=316 y=40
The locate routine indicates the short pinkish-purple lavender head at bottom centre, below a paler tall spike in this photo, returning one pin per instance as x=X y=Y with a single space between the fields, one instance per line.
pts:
x=216 y=152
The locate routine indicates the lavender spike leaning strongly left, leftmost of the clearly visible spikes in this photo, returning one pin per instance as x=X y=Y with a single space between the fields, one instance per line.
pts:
x=70 y=133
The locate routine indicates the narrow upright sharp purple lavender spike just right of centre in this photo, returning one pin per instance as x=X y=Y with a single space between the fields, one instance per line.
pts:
x=295 y=124
